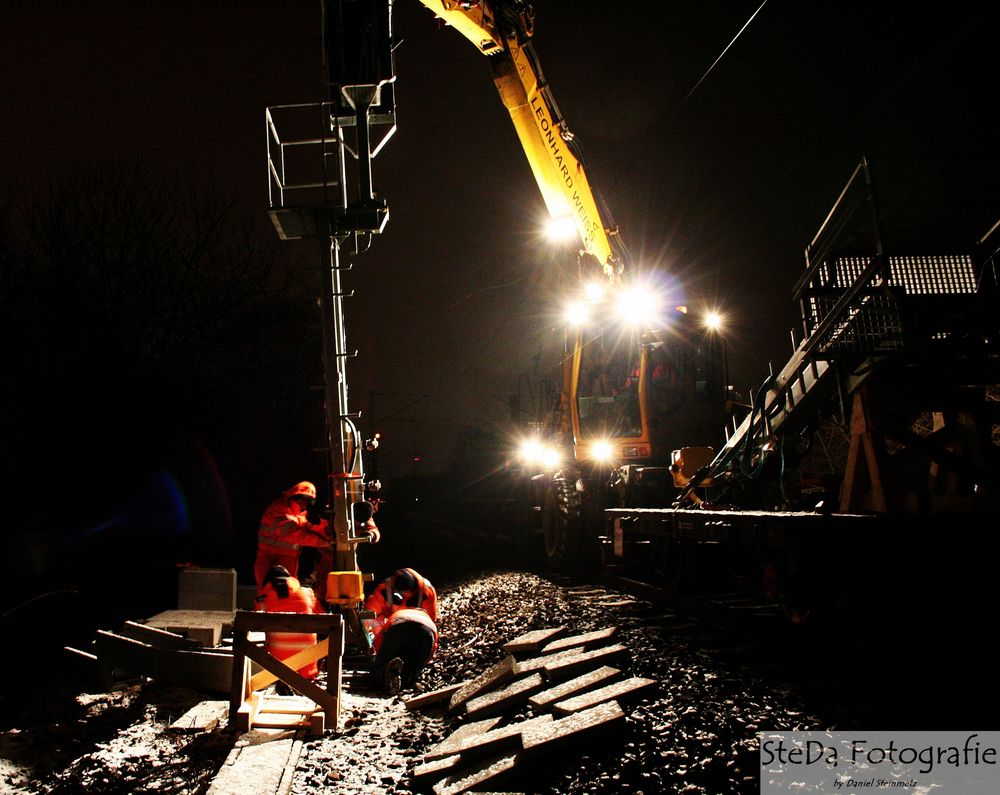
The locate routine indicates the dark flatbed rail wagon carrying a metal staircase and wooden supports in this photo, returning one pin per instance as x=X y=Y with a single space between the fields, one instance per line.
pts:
x=878 y=436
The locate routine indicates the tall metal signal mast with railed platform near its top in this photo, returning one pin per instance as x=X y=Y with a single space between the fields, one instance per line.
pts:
x=319 y=164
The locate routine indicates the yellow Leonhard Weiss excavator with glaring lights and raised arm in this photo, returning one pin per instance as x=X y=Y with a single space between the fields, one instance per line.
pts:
x=639 y=375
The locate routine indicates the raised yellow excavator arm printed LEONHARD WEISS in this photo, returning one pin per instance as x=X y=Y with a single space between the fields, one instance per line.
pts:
x=503 y=32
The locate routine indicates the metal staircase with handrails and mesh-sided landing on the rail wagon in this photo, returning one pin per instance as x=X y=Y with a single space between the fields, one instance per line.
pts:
x=859 y=310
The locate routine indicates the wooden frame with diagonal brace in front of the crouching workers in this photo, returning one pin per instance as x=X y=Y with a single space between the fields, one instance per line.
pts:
x=246 y=706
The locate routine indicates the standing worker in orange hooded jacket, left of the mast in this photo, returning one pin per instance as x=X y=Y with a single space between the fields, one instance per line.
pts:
x=285 y=528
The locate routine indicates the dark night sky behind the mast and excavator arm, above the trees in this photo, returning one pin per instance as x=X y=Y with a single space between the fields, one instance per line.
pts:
x=721 y=184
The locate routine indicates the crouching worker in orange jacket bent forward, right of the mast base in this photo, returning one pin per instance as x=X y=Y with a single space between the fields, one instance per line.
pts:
x=404 y=630
